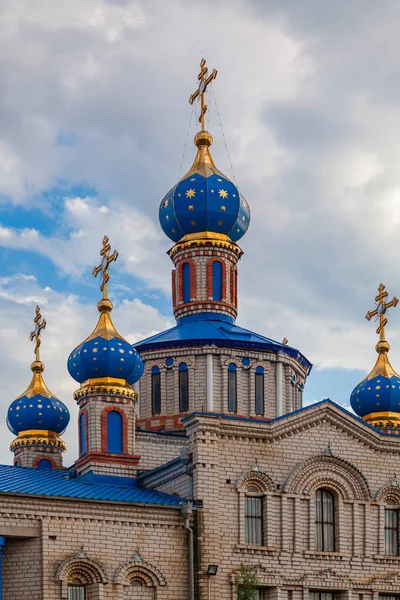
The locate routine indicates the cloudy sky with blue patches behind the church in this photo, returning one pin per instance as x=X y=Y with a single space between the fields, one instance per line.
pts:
x=93 y=122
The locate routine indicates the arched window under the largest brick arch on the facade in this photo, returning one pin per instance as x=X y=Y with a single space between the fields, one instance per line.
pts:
x=324 y=521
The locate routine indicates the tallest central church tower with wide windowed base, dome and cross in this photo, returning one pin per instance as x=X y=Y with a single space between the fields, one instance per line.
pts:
x=207 y=362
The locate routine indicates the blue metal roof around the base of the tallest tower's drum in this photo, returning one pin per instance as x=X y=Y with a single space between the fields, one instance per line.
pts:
x=217 y=329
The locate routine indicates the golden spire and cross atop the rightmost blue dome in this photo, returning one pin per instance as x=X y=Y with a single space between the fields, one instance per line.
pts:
x=382 y=365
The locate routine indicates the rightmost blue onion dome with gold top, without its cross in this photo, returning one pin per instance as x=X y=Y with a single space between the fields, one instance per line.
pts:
x=377 y=397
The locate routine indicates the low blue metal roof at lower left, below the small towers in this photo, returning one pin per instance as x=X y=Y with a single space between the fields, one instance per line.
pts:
x=66 y=484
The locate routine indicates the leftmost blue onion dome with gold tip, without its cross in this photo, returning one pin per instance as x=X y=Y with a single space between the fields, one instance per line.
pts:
x=37 y=408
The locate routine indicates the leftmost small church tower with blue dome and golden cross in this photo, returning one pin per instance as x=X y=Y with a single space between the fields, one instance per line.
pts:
x=37 y=417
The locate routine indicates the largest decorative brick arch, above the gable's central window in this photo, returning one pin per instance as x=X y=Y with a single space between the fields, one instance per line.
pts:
x=327 y=471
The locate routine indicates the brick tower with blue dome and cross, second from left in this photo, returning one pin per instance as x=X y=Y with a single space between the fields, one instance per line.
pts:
x=106 y=366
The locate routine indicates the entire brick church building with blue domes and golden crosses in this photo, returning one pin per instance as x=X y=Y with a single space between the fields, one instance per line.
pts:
x=197 y=460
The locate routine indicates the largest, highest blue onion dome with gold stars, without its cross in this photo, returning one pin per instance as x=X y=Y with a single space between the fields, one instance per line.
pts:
x=204 y=200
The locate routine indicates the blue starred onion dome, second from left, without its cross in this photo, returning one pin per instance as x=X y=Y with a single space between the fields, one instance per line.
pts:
x=105 y=353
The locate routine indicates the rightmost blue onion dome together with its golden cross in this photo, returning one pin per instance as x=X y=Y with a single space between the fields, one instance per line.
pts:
x=377 y=397
